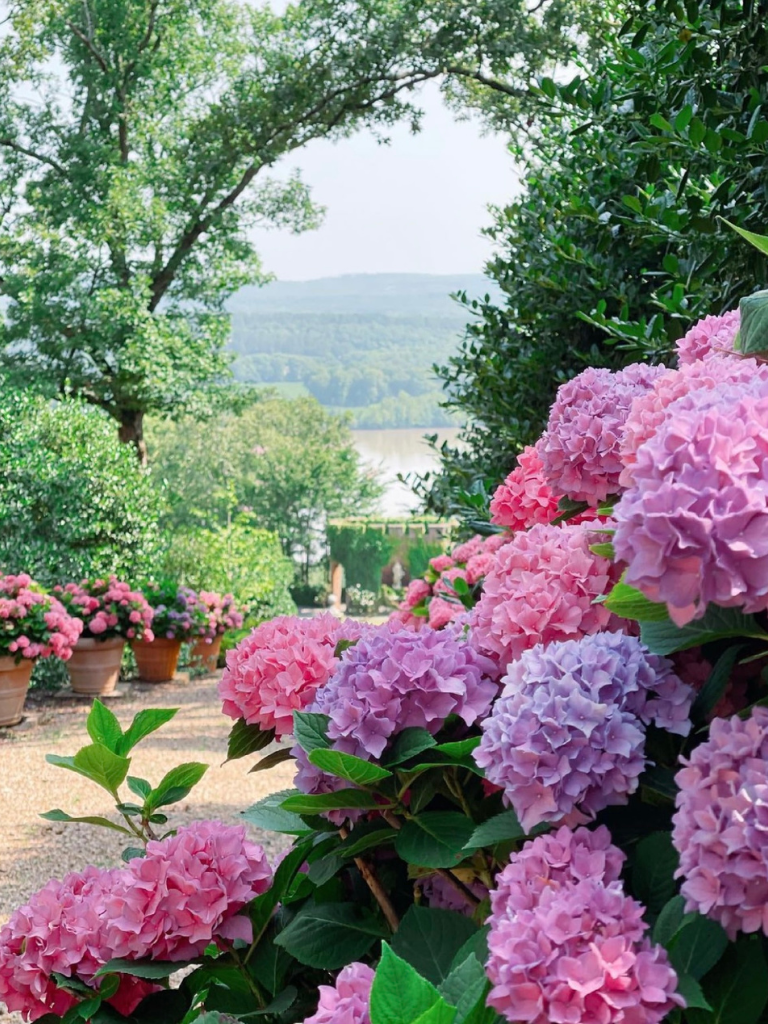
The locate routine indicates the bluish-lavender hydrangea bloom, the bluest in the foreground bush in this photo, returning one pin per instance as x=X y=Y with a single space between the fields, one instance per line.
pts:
x=567 y=737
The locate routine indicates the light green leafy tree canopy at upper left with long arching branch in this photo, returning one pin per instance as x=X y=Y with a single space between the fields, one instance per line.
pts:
x=130 y=183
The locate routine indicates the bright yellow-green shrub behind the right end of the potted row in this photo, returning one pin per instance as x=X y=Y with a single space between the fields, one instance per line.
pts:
x=240 y=560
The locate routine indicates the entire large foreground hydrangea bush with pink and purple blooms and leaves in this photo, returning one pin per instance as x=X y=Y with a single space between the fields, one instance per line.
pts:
x=539 y=795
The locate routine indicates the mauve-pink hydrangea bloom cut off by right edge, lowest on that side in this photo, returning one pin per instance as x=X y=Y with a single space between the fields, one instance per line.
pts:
x=721 y=824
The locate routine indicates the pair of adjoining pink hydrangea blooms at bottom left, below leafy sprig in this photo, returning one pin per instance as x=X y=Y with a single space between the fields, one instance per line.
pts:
x=170 y=905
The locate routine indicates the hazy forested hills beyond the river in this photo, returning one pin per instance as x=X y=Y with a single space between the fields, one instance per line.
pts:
x=361 y=344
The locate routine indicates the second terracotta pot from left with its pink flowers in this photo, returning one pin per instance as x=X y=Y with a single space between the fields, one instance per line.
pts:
x=112 y=614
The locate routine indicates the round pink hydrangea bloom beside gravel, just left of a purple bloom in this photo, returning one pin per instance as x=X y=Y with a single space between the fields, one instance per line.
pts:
x=278 y=669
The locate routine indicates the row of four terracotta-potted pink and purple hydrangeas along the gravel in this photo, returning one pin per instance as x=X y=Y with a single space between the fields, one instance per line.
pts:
x=89 y=624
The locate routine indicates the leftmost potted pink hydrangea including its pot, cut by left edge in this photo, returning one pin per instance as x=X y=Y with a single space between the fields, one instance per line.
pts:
x=33 y=625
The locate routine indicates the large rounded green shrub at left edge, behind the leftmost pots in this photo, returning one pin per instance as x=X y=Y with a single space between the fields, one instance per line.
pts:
x=74 y=502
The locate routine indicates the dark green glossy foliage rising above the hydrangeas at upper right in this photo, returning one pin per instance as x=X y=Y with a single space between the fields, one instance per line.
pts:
x=616 y=246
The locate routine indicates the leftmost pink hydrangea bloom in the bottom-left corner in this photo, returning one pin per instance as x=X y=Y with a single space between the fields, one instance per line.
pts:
x=61 y=931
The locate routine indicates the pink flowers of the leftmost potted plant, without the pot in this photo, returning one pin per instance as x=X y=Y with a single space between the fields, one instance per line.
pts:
x=34 y=624
